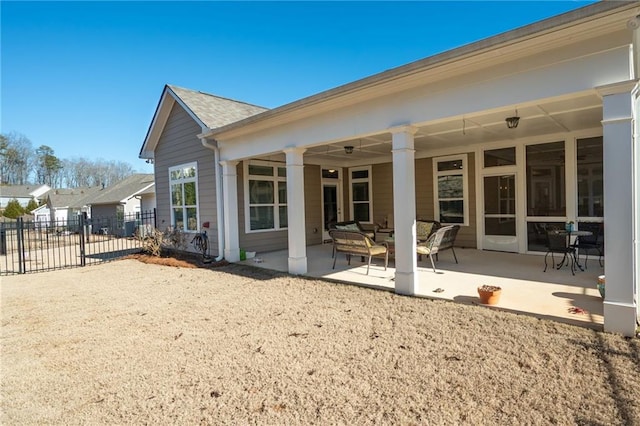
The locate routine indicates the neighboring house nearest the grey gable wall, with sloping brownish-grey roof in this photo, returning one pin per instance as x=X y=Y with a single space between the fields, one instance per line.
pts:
x=123 y=197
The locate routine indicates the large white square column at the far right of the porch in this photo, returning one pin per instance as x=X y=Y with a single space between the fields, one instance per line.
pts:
x=620 y=209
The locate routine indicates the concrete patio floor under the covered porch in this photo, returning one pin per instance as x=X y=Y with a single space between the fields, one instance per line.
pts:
x=526 y=289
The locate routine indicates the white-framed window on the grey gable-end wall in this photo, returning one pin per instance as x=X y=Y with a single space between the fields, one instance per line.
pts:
x=184 y=198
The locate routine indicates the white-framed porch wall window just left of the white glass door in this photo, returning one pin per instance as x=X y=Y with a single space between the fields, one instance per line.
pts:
x=451 y=189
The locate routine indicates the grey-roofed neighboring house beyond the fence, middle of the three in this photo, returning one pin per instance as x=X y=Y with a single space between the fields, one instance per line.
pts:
x=63 y=205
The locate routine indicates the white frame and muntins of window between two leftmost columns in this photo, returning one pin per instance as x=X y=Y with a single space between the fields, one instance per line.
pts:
x=277 y=203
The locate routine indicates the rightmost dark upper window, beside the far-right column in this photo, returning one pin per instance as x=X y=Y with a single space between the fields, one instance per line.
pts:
x=590 y=180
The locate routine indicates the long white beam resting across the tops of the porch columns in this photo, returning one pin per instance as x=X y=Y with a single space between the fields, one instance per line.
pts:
x=433 y=102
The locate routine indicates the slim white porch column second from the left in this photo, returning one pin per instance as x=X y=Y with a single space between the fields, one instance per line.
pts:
x=295 y=211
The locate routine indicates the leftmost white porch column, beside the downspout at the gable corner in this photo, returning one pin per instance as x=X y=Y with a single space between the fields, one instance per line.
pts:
x=230 y=196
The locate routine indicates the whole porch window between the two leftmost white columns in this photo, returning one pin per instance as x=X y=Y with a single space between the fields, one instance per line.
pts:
x=266 y=200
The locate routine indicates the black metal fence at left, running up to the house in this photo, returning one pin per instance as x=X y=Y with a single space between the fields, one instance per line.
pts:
x=36 y=246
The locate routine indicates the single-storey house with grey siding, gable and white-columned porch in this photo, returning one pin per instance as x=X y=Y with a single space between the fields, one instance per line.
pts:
x=506 y=136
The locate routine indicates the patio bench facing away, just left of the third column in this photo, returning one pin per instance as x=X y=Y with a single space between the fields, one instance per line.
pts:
x=359 y=244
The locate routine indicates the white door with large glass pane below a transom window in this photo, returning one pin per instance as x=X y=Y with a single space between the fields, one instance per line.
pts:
x=499 y=221
